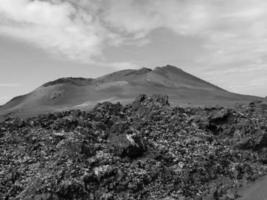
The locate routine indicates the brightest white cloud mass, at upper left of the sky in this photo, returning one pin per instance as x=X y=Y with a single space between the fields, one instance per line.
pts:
x=55 y=26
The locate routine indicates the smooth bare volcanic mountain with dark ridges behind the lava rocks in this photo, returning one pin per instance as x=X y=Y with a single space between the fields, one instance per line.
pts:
x=182 y=88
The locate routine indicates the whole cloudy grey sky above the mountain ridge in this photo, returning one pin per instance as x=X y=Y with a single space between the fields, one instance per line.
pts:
x=221 y=41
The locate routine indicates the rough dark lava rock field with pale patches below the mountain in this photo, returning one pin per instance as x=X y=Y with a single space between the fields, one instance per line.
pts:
x=146 y=150
